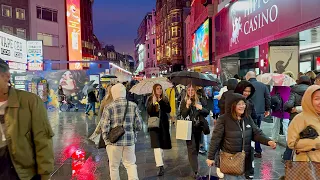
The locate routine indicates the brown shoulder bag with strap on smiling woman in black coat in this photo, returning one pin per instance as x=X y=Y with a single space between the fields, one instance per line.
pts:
x=234 y=164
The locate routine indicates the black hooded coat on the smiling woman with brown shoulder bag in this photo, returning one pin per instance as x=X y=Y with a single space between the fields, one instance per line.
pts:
x=227 y=134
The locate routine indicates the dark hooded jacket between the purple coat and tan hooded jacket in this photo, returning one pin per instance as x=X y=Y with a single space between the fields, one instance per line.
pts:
x=297 y=93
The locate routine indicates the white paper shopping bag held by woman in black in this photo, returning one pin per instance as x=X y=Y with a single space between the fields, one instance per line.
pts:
x=184 y=130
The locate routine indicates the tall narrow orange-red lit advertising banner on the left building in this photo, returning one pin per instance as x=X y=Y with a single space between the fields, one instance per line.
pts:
x=74 y=33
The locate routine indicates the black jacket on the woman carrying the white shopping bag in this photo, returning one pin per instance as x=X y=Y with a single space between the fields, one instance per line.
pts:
x=195 y=114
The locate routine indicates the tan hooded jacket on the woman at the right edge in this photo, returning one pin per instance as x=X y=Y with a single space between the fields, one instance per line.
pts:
x=308 y=117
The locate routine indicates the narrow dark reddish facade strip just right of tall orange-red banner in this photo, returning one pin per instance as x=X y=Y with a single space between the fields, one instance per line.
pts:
x=87 y=35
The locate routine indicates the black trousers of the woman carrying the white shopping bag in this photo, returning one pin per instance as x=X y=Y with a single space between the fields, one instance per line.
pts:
x=193 y=147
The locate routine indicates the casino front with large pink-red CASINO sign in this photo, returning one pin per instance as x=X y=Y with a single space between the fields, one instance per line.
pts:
x=265 y=36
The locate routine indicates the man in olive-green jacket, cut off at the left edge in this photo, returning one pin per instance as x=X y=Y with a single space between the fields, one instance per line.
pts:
x=26 y=148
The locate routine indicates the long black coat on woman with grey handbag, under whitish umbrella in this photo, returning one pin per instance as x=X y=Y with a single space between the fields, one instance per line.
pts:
x=160 y=137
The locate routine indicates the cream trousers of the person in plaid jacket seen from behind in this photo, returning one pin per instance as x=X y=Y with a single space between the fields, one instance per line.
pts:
x=127 y=155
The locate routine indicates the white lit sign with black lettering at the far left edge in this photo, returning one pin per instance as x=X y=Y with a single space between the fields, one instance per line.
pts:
x=13 y=48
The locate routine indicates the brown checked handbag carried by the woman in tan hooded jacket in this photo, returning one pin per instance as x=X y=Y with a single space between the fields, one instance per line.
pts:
x=293 y=169
